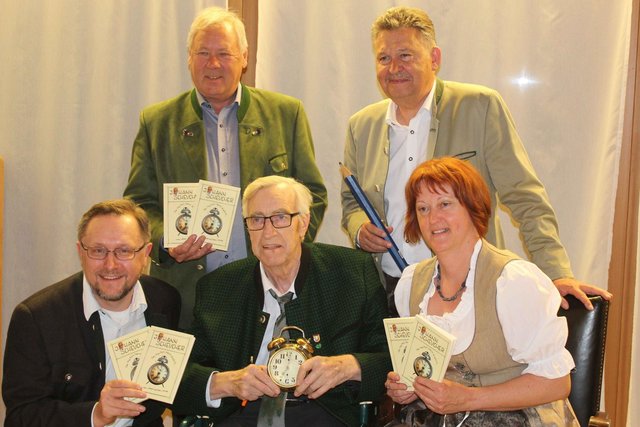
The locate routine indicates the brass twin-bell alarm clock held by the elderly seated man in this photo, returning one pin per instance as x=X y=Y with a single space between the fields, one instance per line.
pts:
x=286 y=357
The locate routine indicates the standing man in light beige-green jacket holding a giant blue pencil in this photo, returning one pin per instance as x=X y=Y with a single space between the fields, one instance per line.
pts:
x=425 y=117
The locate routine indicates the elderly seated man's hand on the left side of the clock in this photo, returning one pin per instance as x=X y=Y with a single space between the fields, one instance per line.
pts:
x=249 y=383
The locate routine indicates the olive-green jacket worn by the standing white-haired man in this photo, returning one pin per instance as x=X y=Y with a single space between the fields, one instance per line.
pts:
x=274 y=138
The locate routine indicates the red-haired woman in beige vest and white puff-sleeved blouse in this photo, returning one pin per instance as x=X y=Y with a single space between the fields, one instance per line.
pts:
x=509 y=363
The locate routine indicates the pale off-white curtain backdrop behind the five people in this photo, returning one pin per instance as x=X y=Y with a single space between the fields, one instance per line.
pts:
x=75 y=74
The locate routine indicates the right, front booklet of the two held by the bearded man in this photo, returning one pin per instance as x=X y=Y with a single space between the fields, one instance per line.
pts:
x=160 y=370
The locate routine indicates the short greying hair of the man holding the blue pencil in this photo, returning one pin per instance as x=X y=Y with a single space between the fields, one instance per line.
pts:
x=405 y=17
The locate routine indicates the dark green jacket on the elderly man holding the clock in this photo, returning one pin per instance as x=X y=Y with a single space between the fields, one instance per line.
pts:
x=340 y=305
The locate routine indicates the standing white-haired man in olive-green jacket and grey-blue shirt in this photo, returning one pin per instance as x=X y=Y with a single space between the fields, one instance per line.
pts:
x=221 y=131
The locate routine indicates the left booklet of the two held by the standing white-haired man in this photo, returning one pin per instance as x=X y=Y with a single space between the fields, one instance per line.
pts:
x=180 y=204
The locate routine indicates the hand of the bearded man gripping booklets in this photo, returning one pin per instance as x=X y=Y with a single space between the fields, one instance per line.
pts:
x=112 y=403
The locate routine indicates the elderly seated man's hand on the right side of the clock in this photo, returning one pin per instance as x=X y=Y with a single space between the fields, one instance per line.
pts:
x=320 y=374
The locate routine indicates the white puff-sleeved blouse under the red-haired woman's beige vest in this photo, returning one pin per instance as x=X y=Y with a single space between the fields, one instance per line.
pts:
x=527 y=303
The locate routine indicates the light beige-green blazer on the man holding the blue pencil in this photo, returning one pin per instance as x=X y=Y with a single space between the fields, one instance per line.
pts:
x=473 y=123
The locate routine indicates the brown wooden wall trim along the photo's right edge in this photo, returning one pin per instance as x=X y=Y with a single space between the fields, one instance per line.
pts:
x=622 y=267
